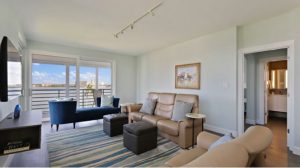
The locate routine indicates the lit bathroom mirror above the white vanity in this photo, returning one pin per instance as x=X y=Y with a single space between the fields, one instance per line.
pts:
x=279 y=79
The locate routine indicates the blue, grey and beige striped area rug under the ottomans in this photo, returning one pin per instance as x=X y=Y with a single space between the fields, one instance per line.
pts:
x=90 y=146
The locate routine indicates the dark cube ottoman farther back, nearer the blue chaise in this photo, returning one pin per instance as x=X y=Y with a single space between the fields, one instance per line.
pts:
x=113 y=123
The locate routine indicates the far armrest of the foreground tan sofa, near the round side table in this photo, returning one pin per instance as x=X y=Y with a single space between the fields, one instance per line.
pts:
x=205 y=139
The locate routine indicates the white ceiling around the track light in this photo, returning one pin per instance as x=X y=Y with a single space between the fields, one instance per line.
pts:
x=92 y=23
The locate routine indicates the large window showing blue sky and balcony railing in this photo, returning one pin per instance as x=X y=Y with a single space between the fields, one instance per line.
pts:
x=56 y=77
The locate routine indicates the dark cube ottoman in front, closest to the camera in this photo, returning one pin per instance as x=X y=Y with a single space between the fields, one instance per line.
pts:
x=140 y=137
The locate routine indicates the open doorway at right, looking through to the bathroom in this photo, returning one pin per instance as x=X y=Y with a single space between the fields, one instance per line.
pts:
x=266 y=99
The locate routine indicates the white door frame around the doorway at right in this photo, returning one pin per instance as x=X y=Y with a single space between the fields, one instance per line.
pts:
x=290 y=46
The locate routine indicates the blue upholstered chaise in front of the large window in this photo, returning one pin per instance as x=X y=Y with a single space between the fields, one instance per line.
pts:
x=62 y=112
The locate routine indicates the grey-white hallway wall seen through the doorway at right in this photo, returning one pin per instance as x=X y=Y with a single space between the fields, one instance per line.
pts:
x=254 y=82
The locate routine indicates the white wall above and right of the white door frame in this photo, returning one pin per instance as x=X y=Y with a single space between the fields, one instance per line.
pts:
x=277 y=29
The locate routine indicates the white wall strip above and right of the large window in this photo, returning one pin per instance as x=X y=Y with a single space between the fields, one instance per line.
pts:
x=125 y=65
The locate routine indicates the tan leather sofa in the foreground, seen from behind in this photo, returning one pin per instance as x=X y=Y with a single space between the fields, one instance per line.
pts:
x=244 y=151
